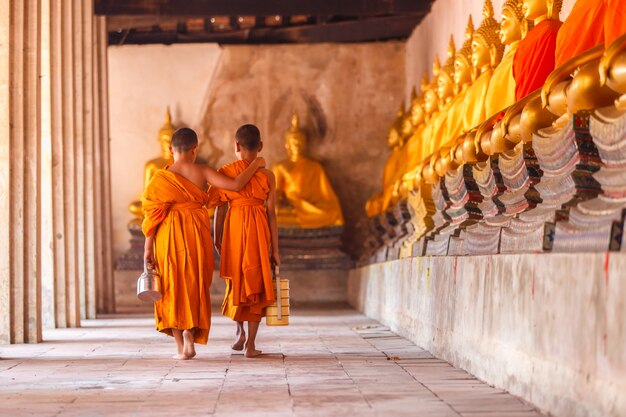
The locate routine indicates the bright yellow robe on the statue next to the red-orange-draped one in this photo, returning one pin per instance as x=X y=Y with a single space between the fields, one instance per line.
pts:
x=501 y=91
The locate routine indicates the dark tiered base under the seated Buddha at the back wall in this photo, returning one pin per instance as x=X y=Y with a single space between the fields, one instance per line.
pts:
x=309 y=249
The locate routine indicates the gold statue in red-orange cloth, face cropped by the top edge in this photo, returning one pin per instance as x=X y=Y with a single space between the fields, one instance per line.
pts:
x=535 y=56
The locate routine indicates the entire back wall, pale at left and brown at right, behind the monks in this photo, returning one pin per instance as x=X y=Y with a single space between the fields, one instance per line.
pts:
x=346 y=96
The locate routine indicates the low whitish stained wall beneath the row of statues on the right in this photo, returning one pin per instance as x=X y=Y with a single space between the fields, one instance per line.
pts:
x=546 y=327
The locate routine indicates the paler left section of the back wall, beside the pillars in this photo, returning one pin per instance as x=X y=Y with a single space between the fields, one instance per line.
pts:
x=143 y=81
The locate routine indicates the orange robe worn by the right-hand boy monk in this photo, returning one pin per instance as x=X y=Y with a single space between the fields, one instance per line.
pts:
x=246 y=242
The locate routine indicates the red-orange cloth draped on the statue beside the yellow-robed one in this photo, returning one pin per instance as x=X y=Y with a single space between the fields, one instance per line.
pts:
x=534 y=58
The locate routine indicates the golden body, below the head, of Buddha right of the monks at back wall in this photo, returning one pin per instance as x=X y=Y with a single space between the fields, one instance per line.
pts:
x=309 y=191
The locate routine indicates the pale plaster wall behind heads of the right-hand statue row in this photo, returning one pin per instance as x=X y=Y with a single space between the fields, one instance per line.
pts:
x=432 y=36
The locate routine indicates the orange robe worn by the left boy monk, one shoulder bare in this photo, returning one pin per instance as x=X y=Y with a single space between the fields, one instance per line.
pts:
x=175 y=212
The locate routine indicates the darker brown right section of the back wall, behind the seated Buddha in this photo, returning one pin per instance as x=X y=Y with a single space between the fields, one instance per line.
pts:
x=346 y=96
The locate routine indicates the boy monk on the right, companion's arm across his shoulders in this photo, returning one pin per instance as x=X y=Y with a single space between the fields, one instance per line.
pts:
x=246 y=236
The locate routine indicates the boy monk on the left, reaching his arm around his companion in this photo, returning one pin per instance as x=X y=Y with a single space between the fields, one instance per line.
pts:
x=178 y=236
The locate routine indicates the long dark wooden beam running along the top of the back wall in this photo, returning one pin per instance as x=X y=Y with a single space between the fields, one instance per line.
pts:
x=365 y=30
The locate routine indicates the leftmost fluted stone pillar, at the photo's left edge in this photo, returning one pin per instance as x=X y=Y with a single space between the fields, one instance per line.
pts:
x=20 y=125
